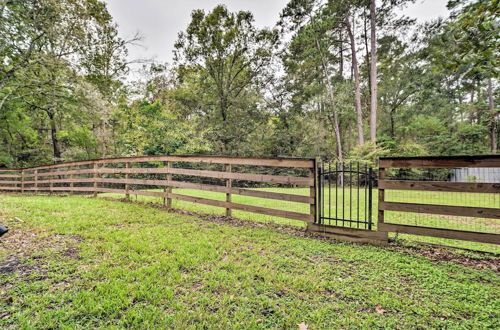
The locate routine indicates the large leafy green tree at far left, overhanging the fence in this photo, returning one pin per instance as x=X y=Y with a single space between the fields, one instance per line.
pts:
x=47 y=50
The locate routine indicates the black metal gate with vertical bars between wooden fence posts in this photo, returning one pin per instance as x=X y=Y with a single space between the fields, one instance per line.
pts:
x=345 y=195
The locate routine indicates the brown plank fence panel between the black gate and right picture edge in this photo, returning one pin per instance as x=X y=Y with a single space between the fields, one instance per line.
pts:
x=427 y=200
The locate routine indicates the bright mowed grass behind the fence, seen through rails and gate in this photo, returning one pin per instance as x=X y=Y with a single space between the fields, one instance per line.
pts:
x=346 y=202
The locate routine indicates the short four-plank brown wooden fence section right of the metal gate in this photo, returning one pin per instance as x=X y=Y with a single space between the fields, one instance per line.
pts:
x=459 y=212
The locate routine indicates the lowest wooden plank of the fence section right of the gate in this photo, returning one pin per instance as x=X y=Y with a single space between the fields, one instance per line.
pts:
x=442 y=233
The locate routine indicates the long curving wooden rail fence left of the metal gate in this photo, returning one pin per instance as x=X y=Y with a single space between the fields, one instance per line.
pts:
x=87 y=176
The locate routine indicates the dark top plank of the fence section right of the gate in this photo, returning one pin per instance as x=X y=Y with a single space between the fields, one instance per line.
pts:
x=440 y=162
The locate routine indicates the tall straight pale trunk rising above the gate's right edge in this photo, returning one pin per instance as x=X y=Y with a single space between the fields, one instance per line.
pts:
x=373 y=74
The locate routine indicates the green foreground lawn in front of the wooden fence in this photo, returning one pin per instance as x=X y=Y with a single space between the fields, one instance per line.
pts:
x=96 y=263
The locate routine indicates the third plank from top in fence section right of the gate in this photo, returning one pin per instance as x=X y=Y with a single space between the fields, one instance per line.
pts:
x=465 y=211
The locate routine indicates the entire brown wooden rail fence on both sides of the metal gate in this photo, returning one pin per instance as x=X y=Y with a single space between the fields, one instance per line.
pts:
x=234 y=173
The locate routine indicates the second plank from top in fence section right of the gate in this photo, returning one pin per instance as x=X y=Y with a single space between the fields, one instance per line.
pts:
x=440 y=186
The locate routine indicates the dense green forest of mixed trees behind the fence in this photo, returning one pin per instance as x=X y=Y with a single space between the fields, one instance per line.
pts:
x=342 y=80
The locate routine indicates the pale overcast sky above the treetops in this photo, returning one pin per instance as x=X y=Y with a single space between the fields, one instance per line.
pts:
x=159 y=21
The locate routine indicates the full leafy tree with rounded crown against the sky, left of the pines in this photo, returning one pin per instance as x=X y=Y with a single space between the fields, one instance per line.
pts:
x=225 y=55
